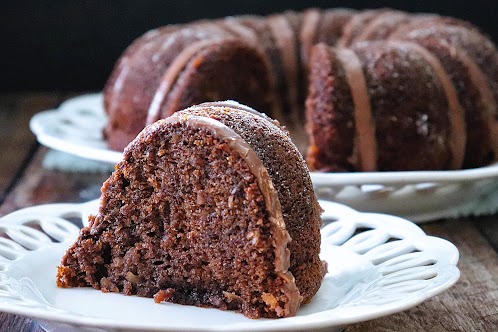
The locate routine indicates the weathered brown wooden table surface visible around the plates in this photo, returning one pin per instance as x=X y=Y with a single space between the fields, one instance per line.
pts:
x=470 y=305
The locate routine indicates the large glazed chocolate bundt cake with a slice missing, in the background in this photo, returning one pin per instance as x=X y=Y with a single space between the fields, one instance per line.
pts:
x=274 y=64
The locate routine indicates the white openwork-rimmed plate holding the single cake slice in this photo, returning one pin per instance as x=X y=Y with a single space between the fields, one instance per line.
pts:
x=378 y=265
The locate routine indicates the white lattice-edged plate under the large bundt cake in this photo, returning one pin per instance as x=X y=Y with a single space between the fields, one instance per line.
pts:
x=76 y=128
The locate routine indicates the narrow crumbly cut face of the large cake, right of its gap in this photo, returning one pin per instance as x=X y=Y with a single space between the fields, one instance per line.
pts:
x=330 y=124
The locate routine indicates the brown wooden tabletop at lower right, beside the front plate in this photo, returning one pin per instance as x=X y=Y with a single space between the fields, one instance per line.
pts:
x=470 y=305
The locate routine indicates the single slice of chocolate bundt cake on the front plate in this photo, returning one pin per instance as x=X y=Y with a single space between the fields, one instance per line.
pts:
x=212 y=206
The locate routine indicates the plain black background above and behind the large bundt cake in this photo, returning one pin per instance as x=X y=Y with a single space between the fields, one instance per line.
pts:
x=72 y=45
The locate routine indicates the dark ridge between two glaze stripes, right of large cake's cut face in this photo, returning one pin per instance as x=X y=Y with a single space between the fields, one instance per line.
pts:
x=413 y=121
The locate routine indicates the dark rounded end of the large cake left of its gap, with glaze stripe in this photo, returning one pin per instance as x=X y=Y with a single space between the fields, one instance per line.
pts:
x=198 y=80
